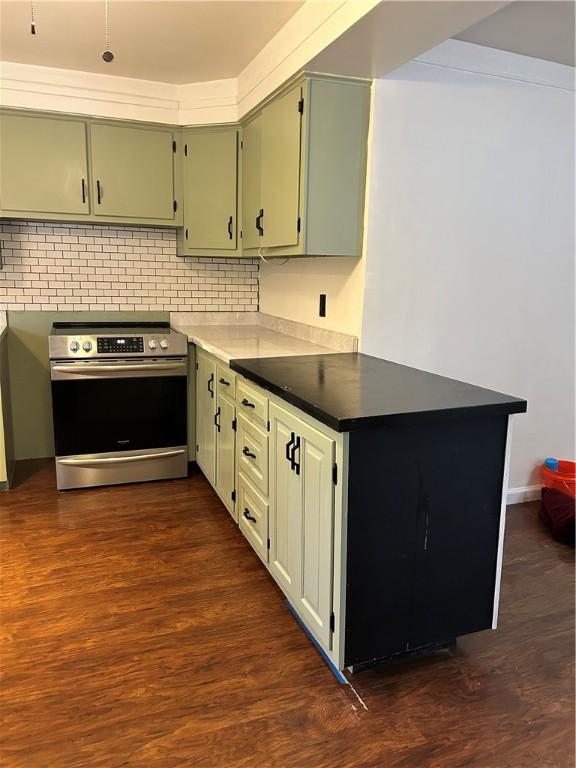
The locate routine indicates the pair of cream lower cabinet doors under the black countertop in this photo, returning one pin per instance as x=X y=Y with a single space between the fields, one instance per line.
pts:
x=301 y=518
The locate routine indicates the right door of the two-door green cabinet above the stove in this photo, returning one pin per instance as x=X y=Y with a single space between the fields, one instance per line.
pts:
x=132 y=172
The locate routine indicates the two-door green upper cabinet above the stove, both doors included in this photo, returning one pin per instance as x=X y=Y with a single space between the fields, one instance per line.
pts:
x=69 y=168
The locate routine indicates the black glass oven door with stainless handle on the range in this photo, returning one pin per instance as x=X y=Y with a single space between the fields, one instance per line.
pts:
x=119 y=405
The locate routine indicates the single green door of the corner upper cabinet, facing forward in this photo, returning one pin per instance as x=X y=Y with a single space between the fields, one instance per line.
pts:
x=211 y=189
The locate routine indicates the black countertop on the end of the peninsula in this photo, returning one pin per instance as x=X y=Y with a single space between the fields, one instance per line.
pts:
x=351 y=391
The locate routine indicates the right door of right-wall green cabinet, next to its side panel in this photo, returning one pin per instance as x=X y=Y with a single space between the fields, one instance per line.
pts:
x=280 y=134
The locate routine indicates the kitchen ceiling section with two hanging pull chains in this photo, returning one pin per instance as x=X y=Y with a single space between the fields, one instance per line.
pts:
x=184 y=41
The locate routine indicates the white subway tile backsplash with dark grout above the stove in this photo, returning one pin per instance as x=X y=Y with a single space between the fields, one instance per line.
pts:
x=75 y=267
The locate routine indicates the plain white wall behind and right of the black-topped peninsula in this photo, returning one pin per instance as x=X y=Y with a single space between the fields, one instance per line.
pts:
x=470 y=240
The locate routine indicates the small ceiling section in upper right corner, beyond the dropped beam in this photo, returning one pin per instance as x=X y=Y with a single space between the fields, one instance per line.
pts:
x=544 y=30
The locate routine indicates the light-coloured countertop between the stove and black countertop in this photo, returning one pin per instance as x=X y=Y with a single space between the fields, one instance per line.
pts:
x=235 y=342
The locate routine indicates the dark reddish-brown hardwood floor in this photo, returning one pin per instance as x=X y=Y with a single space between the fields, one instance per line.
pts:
x=139 y=629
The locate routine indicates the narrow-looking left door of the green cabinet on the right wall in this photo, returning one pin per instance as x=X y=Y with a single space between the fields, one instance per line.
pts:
x=251 y=187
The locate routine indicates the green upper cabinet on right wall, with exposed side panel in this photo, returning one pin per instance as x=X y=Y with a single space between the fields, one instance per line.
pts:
x=304 y=169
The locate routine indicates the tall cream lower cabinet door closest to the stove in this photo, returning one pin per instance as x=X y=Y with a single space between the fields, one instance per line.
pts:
x=206 y=415
